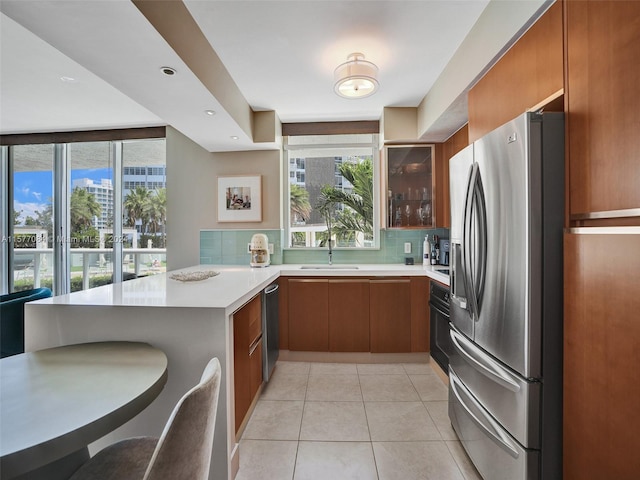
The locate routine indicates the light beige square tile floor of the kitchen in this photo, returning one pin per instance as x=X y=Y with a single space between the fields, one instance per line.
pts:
x=335 y=421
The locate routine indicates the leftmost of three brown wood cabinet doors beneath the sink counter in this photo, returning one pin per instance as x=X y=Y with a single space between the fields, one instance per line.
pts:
x=309 y=314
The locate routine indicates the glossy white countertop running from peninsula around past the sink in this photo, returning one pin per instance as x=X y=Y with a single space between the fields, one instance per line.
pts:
x=234 y=285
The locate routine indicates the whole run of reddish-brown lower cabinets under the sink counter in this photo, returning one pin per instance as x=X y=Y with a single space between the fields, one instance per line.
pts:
x=336 y=314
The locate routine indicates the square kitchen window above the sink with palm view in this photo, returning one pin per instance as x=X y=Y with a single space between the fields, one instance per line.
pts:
x=332 y=183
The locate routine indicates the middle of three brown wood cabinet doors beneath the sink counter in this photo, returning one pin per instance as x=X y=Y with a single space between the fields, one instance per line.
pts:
x=348 y=315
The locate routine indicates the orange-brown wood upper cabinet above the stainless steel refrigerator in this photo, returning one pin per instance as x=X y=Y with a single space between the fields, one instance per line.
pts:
x=528 y=74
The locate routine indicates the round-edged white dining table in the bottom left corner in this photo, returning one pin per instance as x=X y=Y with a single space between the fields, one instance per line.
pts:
x=55 y=402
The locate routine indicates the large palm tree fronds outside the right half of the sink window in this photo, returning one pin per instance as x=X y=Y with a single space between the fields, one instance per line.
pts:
x=357 y=214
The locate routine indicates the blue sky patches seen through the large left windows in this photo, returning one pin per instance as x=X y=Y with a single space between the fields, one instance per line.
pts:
x=33 y=190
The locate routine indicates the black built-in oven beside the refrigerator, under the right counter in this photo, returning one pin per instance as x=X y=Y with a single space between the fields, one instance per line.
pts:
x=440 y=341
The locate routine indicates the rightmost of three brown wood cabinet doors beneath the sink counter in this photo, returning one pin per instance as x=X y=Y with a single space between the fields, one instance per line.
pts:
x=390 y=304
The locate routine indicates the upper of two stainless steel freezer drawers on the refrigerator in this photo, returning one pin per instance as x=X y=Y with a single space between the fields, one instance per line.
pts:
x=513 y=401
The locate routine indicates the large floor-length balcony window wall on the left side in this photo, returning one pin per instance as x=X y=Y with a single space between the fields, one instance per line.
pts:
x=68 y=224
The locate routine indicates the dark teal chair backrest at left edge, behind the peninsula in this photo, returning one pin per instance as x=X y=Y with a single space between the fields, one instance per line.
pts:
x=12 y=319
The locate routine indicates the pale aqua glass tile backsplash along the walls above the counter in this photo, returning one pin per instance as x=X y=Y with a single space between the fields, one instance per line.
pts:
x=229 y=247
